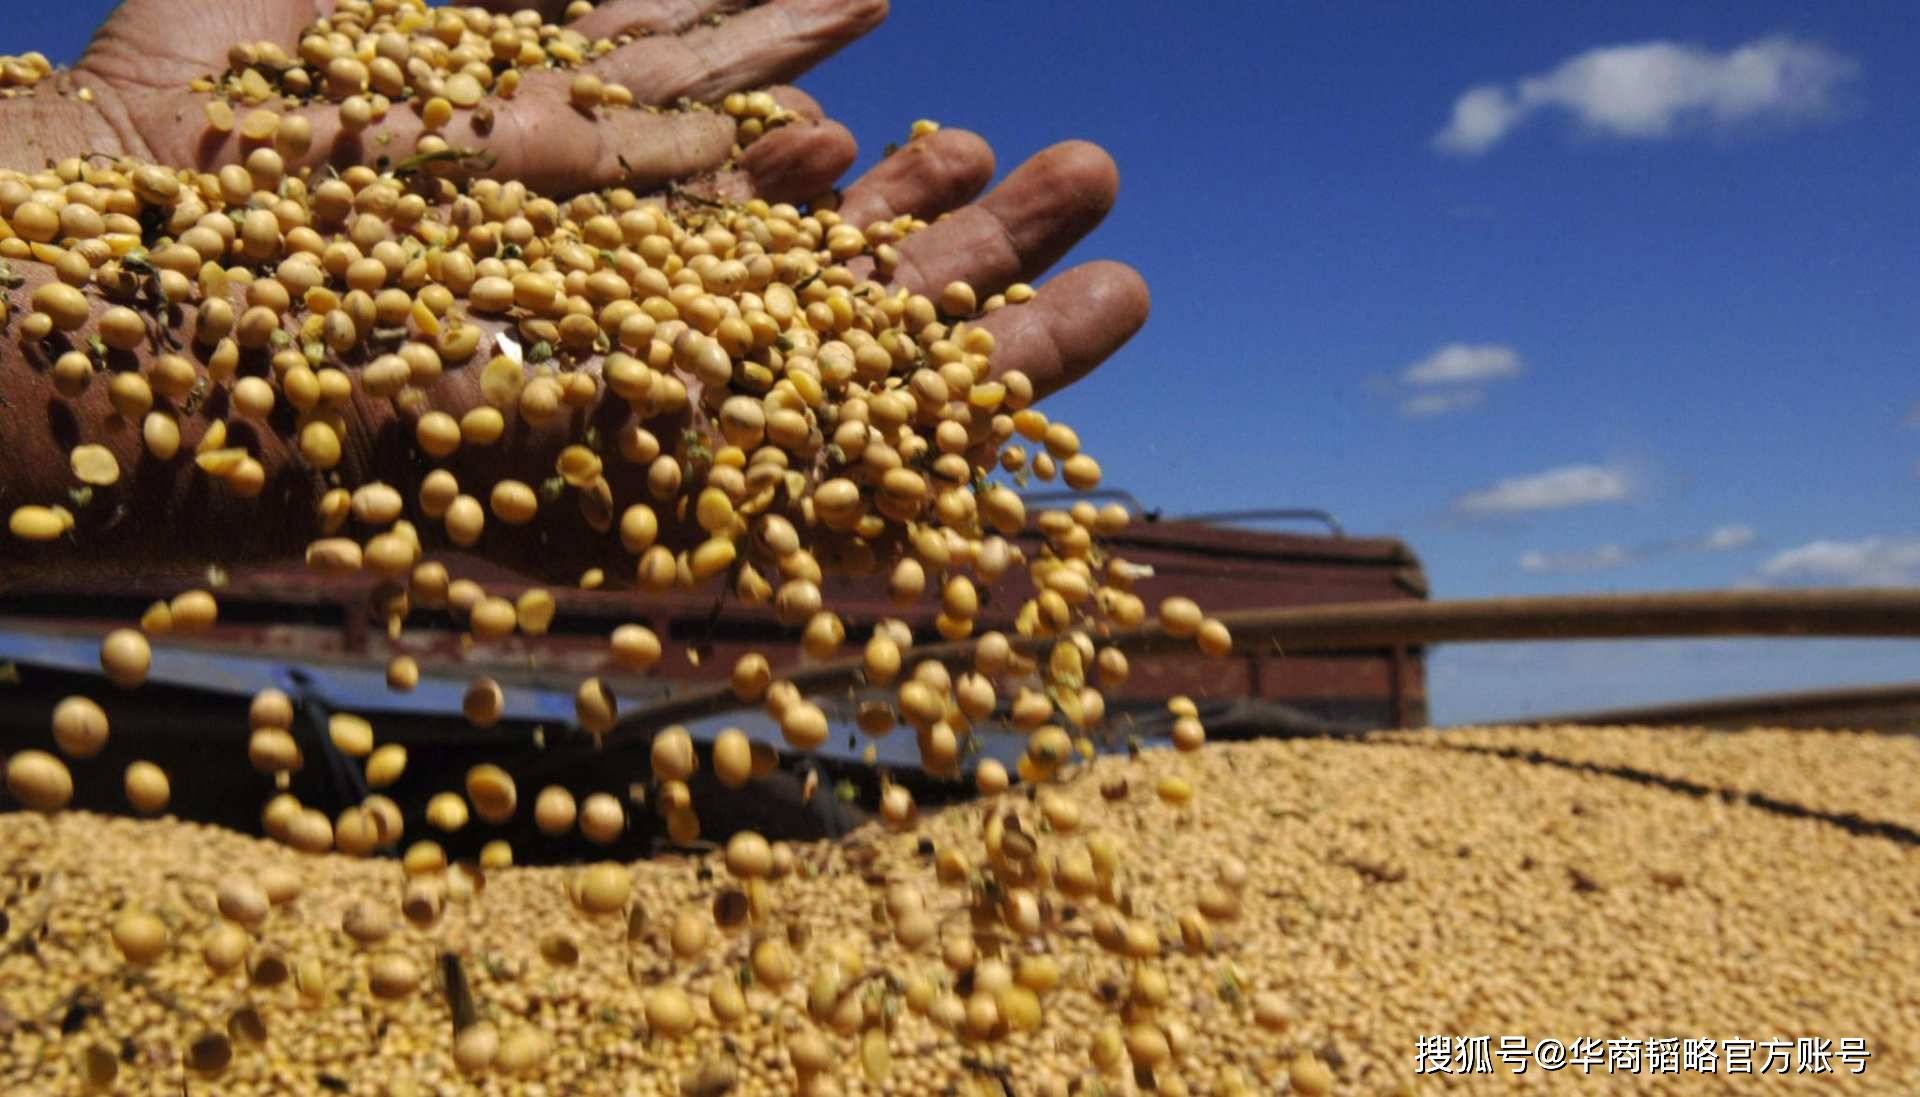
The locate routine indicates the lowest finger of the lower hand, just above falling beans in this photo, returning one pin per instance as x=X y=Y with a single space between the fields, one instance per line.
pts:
x=1072 y=324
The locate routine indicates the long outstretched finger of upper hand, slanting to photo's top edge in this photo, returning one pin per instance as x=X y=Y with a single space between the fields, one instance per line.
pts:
x=767 y=45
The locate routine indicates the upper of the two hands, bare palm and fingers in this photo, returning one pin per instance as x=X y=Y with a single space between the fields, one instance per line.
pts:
x=149 y=53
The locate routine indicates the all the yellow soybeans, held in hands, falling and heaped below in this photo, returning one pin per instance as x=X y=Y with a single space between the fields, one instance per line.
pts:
x=698 y=395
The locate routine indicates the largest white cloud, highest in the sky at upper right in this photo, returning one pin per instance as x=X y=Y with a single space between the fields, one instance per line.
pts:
x=1658 y=89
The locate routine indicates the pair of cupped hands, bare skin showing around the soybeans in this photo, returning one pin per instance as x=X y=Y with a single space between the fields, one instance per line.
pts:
x=1013 y=233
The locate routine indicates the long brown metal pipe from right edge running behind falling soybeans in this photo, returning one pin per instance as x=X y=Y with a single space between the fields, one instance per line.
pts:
x=1374 y=625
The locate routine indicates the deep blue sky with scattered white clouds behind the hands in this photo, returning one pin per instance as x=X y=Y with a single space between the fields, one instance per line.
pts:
x=1675 y=287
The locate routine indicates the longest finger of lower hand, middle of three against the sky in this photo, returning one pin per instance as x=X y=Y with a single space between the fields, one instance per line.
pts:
x=1020 y=228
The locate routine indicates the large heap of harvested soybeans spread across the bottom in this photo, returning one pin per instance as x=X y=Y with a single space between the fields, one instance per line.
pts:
x=1324 y=898
